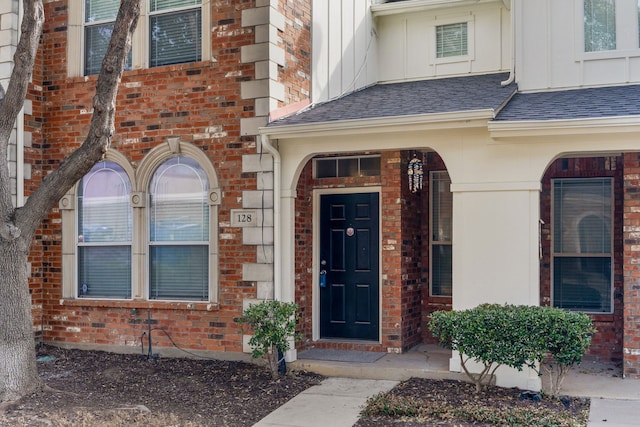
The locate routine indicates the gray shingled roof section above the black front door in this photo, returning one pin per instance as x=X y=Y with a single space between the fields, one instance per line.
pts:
x=481 y=92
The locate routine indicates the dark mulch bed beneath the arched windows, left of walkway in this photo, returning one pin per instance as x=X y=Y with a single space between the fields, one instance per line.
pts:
x=104 y=389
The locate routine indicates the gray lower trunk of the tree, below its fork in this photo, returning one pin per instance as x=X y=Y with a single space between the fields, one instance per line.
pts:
x=18 y=371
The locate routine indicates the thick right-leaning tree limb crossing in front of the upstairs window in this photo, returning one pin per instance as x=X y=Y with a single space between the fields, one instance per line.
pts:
x=101 y=130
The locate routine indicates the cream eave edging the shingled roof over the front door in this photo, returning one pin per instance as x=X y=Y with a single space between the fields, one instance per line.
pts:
x=436 y=121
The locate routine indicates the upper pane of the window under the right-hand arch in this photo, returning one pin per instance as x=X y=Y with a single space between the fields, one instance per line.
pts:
x=582 y=216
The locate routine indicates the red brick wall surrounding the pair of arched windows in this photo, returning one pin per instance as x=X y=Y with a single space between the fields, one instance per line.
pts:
x=201 y=104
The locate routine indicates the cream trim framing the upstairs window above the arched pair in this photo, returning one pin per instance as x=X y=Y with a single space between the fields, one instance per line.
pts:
x=139 y=42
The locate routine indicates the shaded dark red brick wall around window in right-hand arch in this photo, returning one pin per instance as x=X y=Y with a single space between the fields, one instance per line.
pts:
x=607 y=342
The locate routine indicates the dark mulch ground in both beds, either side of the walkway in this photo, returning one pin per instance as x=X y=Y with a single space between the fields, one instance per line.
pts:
x=93 y=388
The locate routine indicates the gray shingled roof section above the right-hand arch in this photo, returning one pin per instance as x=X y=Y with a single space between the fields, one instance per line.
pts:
x=612 y=101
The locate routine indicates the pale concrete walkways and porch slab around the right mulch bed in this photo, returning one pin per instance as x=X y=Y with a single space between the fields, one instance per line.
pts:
x=337 y=401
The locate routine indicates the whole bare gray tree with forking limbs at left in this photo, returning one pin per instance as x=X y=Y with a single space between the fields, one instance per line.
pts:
x=18 y=371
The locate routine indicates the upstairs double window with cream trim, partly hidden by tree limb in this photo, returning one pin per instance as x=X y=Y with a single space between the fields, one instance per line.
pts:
x=168 y=32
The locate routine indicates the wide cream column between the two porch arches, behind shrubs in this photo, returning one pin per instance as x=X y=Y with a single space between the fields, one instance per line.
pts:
x=496 y=254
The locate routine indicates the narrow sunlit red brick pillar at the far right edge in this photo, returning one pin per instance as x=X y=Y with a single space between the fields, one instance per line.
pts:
x=631 y=232
